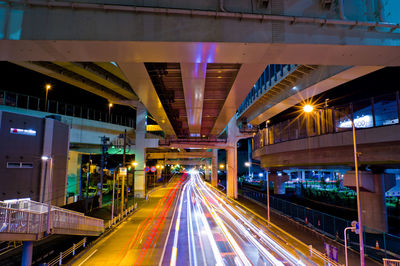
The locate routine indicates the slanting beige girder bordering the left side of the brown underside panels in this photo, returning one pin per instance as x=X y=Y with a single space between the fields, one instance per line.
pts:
x=141 y=83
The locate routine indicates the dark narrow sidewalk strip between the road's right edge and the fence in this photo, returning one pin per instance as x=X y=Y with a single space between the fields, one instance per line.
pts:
x=305 y=234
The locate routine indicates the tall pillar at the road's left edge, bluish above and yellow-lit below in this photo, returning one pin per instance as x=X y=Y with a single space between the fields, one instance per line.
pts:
x=140 y=151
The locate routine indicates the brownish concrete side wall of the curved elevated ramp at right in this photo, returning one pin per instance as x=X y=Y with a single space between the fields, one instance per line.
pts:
x=380 y=145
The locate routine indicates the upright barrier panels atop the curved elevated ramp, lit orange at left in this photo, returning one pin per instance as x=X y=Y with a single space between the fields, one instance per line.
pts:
x=373 y=112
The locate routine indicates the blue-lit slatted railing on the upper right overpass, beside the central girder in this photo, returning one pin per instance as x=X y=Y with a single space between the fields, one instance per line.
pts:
x=271 y=76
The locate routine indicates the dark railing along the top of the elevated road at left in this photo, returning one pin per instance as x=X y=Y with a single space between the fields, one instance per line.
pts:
x=38 y=104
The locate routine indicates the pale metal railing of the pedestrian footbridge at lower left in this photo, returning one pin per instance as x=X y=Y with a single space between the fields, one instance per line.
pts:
x=30 y=217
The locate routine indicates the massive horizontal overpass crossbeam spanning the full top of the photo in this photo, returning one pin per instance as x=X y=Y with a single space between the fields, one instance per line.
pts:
x=103 y=35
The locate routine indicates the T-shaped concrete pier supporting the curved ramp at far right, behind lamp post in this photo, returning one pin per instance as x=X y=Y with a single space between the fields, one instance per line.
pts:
x=372 y=197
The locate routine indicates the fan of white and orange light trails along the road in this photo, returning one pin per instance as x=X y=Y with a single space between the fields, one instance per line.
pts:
x=211 y=230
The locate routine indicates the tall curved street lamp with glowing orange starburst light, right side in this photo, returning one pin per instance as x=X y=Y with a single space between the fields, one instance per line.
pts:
x=308 y=109
